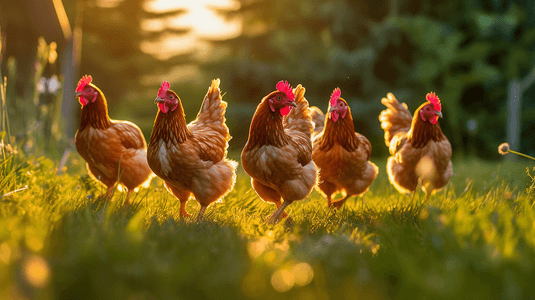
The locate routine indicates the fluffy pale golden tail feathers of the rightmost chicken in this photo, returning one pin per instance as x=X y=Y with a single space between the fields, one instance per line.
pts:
x=396 y=118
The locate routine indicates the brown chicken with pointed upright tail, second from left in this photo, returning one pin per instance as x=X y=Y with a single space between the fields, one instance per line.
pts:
x=191 y=158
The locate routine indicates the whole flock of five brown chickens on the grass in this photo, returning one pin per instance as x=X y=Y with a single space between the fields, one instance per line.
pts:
x=291 y=149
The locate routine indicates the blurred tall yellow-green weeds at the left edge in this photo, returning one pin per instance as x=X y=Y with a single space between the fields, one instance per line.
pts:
x=31 y=120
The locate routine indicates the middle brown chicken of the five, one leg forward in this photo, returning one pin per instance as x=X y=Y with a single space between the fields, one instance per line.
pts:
x=278 y=153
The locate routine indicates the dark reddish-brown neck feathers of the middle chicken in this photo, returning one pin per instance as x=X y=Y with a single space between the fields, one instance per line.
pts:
x=266 y=128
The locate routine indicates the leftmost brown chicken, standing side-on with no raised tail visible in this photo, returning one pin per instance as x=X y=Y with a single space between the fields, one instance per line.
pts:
x=114 y=150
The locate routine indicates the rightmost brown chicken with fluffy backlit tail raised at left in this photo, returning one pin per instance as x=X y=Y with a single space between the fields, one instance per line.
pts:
x=420 y=152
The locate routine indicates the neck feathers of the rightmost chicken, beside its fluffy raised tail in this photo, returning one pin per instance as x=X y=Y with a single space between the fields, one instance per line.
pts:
x=422 y=132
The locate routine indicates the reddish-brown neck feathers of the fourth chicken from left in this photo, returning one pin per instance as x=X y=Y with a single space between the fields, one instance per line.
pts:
x=341 y=132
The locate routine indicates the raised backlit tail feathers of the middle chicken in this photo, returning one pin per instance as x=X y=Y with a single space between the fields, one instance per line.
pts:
x=299 y=117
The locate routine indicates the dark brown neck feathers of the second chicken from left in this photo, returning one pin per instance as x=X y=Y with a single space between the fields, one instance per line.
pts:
x=170 y=127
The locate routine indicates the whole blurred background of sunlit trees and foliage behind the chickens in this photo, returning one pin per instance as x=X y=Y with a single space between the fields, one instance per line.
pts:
x=470 y=52
